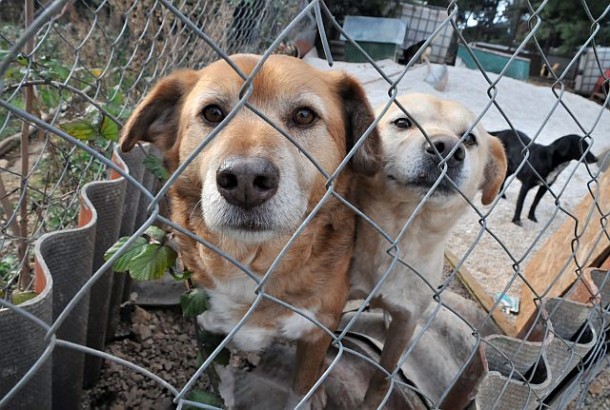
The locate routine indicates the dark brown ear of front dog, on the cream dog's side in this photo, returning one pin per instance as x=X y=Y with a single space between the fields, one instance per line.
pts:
x=358 y=116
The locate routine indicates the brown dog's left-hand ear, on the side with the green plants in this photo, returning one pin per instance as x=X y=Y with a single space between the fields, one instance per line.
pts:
x=155 y=119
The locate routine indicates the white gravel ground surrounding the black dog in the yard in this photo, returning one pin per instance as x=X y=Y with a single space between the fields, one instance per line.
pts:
x=530 y=108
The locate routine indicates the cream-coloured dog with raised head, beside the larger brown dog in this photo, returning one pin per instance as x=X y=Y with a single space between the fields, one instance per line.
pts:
x=474 y=162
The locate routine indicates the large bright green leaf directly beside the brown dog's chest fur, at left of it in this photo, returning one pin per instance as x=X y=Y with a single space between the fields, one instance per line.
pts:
x=152 y=262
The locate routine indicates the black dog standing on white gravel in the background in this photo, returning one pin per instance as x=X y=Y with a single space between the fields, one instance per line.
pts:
x=545 y=161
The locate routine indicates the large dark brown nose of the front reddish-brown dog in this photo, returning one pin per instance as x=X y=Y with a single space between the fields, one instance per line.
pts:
x=247 y=182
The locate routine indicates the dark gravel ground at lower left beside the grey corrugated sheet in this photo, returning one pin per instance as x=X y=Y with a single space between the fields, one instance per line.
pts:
x=160 y=340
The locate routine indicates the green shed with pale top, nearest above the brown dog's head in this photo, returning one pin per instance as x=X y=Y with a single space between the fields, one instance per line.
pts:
x=379 y=37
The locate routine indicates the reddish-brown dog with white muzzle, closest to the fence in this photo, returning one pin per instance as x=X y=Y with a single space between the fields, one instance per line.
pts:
x=250 y=188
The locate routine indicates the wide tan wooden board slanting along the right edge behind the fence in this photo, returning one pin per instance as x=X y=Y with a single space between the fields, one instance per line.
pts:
x=543 y=272
